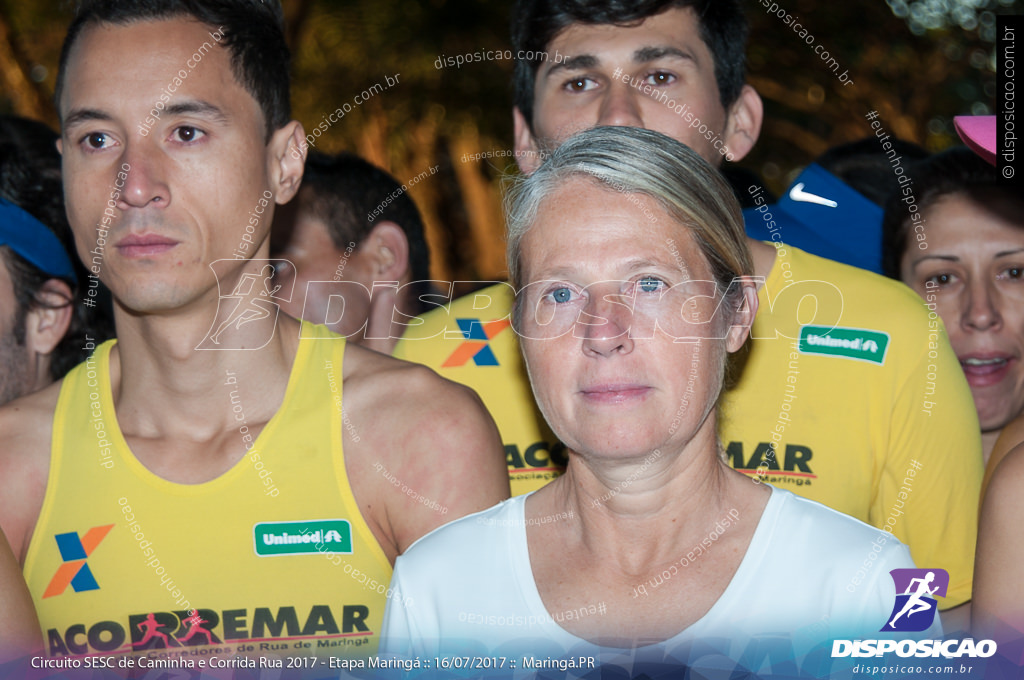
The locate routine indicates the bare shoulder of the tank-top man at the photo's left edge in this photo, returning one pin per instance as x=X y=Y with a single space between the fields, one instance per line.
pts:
x=26 y=430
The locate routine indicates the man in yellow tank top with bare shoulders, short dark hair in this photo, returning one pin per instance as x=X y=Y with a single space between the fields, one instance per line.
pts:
x=223 y=477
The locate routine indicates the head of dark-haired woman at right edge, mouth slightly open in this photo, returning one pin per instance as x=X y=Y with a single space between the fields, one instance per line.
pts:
x=956 y=236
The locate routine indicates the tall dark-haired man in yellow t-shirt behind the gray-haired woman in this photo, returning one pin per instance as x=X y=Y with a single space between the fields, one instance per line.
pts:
x=839 y=400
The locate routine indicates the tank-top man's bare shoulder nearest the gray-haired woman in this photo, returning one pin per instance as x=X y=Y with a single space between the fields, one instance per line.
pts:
x=425 y=447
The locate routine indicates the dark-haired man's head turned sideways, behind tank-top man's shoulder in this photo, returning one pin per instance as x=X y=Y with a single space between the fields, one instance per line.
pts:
x=354 y=236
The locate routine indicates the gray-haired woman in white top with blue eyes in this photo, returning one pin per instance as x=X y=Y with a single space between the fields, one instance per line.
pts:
x=629 y=256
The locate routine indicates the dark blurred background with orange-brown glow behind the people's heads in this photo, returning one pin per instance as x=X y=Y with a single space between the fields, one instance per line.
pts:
x=918 y=63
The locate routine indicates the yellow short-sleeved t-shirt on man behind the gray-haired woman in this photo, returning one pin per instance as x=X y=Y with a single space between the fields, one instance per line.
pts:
x=846 y=412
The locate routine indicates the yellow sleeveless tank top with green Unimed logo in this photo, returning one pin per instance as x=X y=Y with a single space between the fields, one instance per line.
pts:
x=271 y=561
